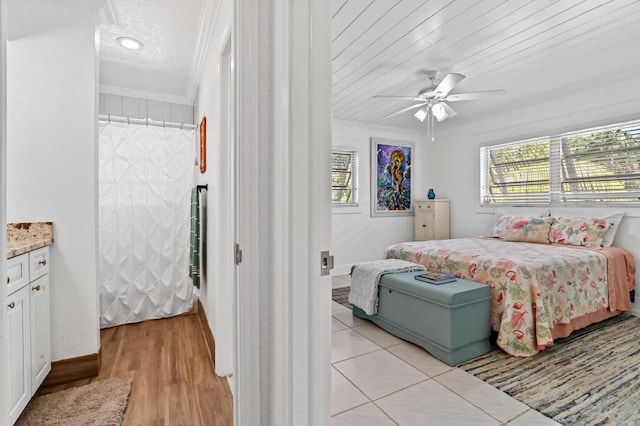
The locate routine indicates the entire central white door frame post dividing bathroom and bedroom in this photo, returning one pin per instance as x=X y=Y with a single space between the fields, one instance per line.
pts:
x=284 y=305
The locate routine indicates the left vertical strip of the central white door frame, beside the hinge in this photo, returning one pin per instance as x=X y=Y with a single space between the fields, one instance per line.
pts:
x=247 y=410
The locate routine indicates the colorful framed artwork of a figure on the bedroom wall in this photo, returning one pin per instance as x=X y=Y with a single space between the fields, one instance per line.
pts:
x=391 y=177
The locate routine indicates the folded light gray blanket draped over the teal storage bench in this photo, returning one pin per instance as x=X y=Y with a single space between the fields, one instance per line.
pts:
x=365 y=278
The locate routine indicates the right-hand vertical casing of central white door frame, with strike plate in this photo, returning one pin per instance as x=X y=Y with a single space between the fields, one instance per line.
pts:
x=310 y=226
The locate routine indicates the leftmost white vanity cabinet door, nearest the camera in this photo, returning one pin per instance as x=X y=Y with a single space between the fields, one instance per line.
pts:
x=18 y=319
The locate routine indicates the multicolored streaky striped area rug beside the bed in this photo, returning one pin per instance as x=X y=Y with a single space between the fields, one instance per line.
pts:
x=589 y=378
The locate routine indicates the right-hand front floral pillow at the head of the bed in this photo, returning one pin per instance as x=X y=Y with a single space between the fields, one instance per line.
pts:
x=579 y=231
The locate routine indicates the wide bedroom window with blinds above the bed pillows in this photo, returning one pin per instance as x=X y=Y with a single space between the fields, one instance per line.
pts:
x=600 y=165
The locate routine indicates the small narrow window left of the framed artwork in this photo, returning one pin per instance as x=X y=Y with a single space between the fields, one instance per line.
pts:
x=344 y=177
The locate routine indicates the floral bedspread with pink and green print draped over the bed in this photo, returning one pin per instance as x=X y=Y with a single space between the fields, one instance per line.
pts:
x=534 y=286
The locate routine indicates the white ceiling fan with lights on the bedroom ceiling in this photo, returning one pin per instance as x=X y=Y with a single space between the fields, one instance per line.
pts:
x=431 y=99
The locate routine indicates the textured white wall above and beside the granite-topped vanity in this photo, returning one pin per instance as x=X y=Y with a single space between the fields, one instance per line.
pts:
x=52 y=169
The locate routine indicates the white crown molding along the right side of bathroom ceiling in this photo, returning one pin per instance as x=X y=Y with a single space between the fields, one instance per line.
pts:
x=208 y=18
